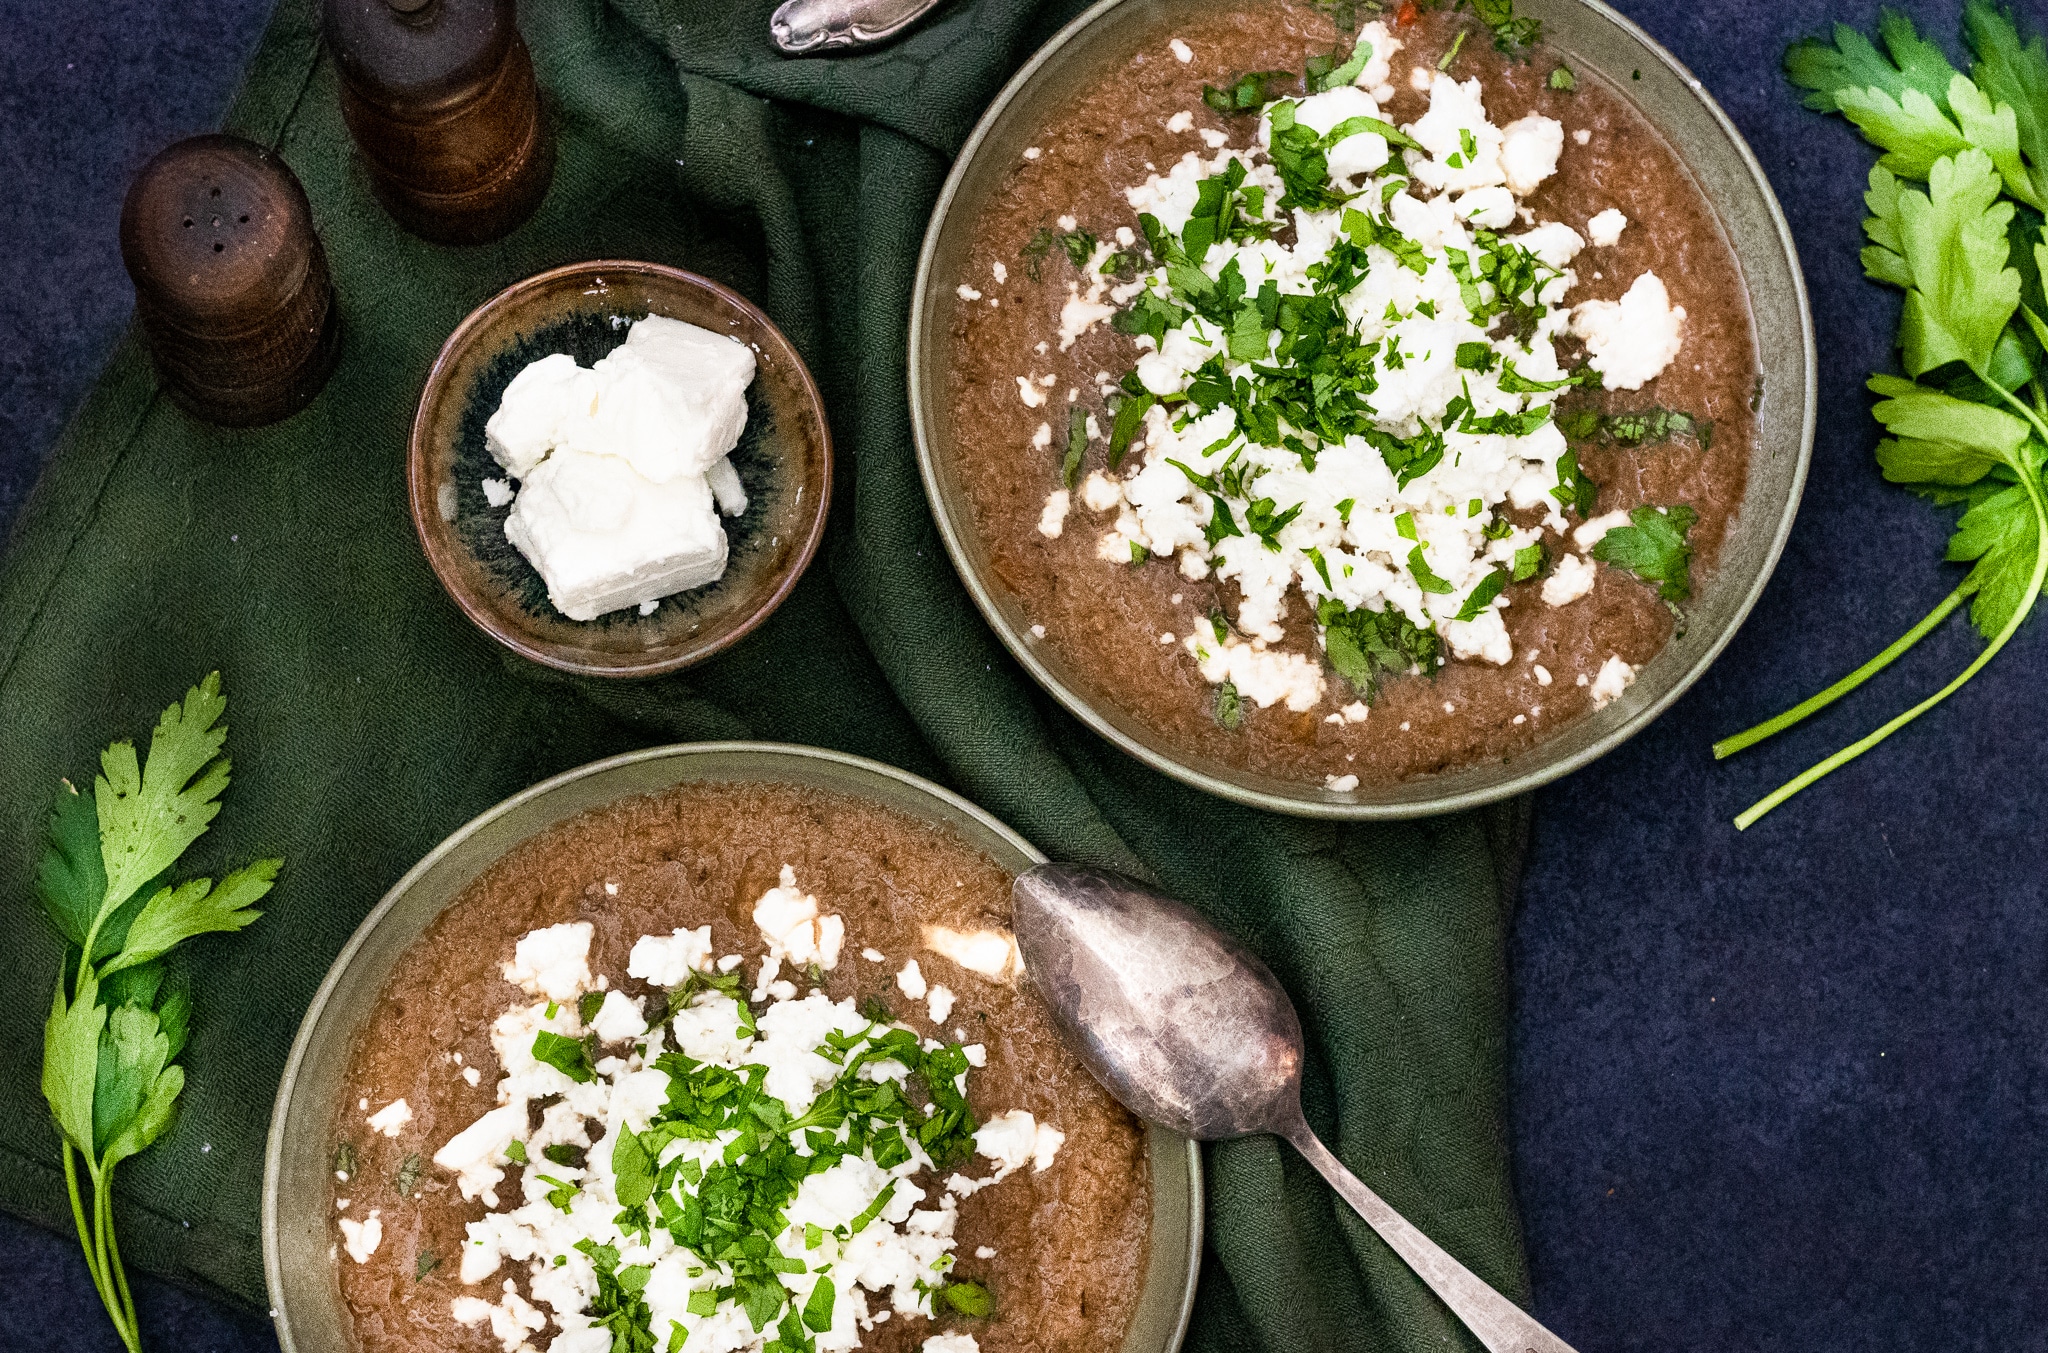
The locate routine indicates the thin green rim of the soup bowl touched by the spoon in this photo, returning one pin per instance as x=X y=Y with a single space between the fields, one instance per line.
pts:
x=767 y=754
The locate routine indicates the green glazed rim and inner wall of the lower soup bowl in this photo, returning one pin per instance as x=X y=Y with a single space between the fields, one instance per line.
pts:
x=298 y=1221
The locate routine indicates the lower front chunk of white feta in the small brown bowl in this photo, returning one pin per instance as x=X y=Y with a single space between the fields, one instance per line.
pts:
x=607 y=537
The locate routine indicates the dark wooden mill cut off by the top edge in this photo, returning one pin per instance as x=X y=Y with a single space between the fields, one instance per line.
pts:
x=441 y=101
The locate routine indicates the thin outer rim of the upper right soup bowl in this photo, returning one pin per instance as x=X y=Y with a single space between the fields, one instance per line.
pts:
x=1302 y=803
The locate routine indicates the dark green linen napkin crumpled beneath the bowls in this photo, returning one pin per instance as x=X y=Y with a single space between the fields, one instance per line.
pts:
x=370 y=719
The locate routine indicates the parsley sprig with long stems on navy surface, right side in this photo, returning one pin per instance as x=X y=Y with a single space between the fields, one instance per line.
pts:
x=1971 y=427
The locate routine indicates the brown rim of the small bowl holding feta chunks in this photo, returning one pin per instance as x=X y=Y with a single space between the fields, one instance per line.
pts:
x=421 y=494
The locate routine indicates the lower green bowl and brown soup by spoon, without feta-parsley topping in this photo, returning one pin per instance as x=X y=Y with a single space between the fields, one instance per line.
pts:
x=1097 y=1250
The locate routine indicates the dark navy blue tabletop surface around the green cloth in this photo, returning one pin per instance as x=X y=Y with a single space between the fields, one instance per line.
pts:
x=1773 y=1090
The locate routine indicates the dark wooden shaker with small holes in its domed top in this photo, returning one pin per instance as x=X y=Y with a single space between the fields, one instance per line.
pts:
x=230 y=281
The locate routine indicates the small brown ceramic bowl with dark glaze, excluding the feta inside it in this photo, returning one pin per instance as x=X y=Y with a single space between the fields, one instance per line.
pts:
x=585 y=310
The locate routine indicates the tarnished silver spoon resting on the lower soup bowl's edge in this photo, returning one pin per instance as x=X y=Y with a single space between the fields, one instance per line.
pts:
x=1193 y=1033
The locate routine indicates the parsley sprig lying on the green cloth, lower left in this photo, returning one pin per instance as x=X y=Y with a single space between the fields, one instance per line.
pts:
x=120 y=1016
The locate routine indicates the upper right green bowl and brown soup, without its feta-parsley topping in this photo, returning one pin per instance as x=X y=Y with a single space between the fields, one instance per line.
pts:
x=996 y=380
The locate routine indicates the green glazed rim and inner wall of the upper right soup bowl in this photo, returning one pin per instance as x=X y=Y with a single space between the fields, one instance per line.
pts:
x=1590 y=38
